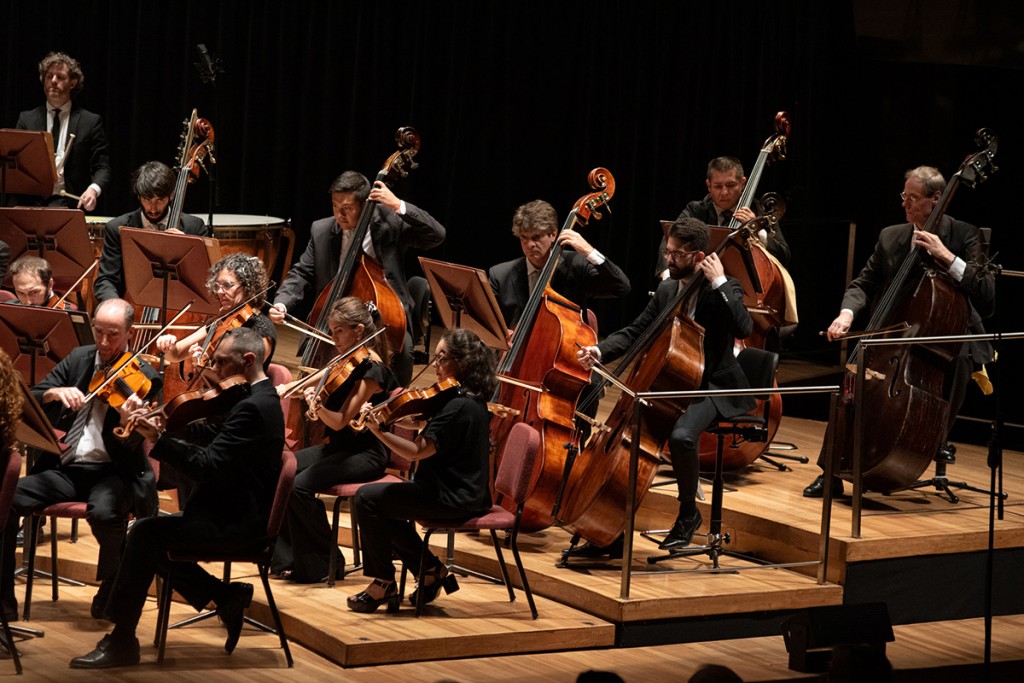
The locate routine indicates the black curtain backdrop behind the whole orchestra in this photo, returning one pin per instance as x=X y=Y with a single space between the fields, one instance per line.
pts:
x=517 y=102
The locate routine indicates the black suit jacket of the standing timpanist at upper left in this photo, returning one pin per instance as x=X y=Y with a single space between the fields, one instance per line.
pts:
x=89 y=160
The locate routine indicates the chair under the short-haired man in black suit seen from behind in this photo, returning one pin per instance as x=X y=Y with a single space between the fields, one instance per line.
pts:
x=262 y=559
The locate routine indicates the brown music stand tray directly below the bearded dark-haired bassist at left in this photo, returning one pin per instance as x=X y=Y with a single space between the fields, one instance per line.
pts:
x=167 y=270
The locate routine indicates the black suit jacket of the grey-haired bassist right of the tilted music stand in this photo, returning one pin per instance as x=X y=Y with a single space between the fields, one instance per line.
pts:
x=575 y=278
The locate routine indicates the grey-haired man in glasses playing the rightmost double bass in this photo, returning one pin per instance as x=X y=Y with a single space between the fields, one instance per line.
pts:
x=955 y=246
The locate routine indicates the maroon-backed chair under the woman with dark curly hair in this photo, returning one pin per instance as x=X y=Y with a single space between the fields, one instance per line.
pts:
x=513 y=482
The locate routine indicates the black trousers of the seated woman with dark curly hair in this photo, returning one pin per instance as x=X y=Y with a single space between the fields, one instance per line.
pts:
x=387 y=513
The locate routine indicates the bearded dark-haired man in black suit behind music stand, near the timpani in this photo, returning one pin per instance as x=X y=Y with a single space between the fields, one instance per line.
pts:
x=153 y=184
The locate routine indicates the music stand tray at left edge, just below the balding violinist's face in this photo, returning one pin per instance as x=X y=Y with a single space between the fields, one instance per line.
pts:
x=37 y=339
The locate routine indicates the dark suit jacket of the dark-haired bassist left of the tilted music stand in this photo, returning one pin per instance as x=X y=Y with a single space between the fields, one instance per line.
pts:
x=393 y=235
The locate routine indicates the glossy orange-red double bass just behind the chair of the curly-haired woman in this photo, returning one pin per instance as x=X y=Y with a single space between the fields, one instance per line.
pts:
x=540 y=376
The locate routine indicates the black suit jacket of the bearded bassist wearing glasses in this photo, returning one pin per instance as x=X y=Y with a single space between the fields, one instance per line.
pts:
x=724 y=319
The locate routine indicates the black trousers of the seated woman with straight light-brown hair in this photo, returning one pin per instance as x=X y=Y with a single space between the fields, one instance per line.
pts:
x=305 y=544
